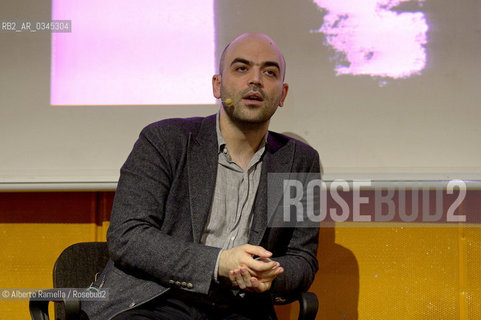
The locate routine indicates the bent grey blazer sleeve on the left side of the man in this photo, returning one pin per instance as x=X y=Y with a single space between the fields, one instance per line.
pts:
x=137 y=241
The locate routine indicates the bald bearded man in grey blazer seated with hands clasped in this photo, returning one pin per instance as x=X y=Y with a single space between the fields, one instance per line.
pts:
x=189 y=236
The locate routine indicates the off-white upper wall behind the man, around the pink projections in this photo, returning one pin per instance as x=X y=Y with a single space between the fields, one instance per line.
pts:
x=427 y=125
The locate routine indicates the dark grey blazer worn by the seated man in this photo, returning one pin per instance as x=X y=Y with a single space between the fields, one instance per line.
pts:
x=162 y=203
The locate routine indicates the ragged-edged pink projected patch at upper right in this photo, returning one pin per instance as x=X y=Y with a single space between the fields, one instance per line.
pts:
x=372 y=38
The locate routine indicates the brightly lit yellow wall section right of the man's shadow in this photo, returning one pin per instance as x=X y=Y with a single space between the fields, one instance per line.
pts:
x=405 y=272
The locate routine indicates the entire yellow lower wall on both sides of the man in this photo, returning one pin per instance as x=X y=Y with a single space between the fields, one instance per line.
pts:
x=385 y=272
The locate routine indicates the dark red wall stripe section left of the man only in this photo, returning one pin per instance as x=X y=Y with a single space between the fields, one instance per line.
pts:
x=55 y=207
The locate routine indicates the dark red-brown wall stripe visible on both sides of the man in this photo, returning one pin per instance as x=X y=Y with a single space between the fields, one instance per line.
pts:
x=95 y=206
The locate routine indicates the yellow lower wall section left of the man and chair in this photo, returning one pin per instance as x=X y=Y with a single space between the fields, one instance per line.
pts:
x=28 y=255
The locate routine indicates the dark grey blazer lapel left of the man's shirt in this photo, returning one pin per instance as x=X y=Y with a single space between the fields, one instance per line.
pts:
x=202 y=165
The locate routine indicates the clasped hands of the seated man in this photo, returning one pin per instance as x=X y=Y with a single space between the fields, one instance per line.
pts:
x=246 y=272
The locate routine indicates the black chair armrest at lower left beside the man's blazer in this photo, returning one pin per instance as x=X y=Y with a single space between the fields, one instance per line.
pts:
x=39 y=304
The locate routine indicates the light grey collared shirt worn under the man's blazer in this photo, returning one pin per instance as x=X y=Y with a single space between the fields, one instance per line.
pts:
x=230 y=215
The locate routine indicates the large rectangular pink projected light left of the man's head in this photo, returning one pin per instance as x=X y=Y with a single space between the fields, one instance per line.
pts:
x=133 y=52
